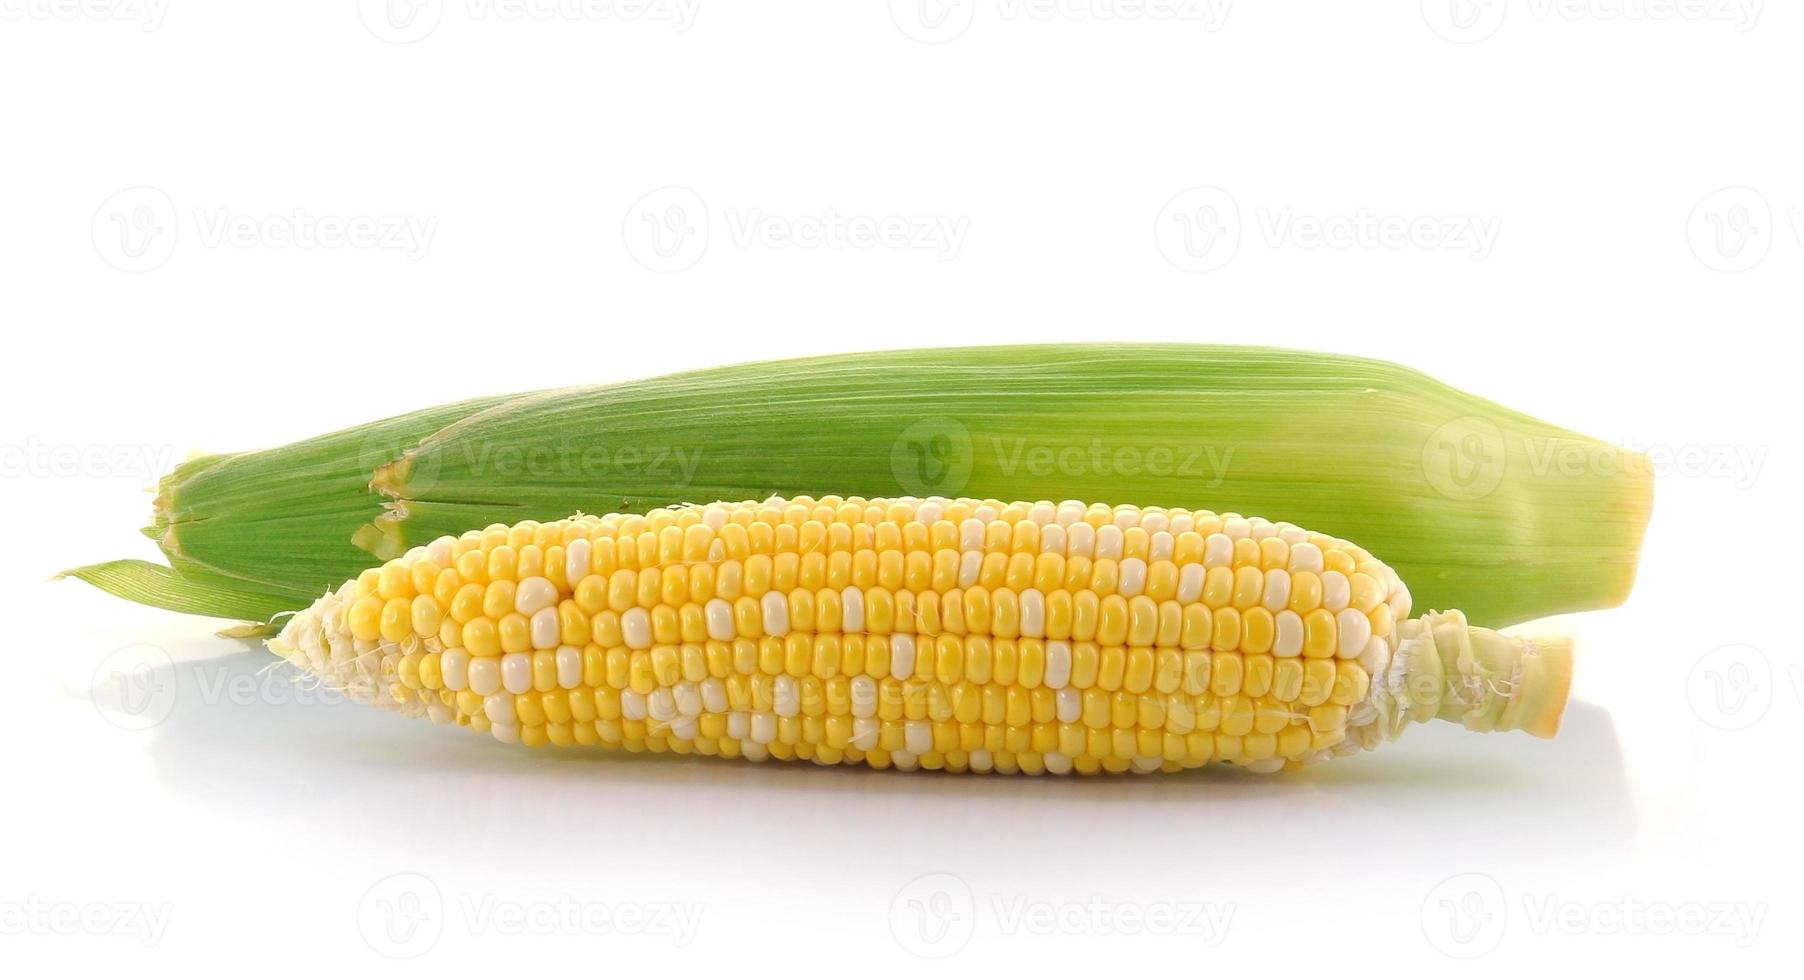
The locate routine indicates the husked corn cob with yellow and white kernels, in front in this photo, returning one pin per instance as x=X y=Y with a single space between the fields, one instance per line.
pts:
x=939 y=634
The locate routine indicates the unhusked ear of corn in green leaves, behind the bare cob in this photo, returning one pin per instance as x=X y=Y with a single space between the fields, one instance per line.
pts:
x=1477 y=506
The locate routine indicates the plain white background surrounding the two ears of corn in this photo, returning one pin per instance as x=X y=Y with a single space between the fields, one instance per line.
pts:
x=1621 y=290
